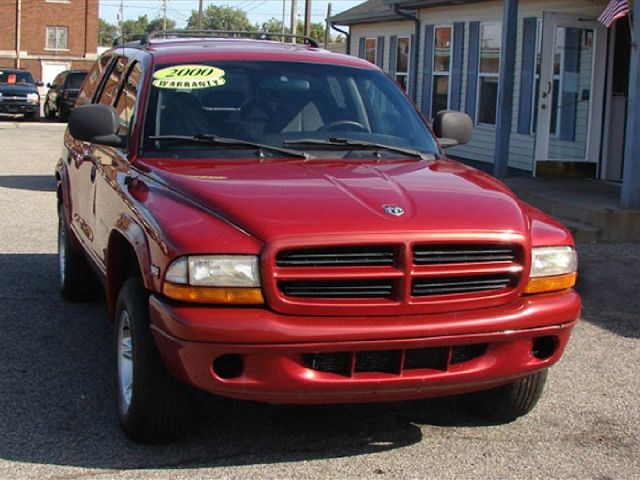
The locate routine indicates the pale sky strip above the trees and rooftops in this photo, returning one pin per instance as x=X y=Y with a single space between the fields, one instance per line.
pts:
x=258 y=11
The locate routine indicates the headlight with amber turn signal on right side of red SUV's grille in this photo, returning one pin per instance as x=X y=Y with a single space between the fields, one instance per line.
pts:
x=552 y=268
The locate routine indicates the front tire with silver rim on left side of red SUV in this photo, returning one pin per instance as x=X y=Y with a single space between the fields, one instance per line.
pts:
x=153 y=407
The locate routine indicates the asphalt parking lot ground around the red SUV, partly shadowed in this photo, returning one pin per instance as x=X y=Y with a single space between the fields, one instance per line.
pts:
x=57 y=413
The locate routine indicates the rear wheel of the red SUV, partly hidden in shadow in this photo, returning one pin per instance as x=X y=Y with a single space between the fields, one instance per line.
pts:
x=78 y=283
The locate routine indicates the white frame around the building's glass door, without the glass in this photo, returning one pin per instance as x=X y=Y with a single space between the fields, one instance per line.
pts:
x=550 y=21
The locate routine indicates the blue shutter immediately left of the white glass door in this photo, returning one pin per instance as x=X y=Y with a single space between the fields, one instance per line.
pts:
x=527 y=74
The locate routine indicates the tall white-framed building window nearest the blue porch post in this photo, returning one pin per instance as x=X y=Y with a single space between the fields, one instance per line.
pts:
x=490 y=39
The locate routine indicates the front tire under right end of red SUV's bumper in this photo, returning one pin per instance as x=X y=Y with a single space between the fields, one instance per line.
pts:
x=505 y=404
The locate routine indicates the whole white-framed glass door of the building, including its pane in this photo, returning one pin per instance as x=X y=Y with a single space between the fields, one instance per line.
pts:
x=570 y=89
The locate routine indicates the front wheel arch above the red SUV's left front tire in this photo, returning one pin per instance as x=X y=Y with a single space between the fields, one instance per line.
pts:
x=127 y=256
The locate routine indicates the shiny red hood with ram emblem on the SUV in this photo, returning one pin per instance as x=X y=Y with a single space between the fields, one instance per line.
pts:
x=275 y=199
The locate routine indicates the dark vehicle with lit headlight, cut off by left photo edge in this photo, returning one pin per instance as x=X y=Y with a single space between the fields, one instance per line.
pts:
x=19 y=93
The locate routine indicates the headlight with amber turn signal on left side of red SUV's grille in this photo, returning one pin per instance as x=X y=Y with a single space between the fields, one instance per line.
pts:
x=229 y=279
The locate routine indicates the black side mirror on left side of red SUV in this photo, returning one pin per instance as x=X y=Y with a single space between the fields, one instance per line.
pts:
x=96 y=123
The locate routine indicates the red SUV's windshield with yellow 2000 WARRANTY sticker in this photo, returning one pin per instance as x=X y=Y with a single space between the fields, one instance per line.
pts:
x=279 y=104
